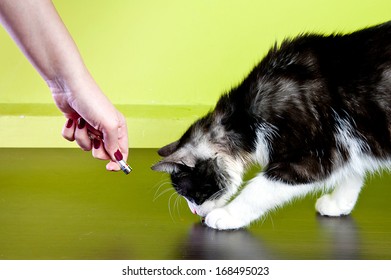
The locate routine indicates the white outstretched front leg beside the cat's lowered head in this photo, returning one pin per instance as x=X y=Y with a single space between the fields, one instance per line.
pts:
x=255 y=200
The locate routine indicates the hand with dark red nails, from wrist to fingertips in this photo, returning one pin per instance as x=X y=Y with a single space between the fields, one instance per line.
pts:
x=92 y=120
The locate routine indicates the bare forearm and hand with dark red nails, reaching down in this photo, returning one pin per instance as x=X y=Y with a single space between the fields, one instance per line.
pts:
x=93 y=121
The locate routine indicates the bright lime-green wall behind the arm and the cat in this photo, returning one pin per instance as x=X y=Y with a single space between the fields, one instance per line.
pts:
x=176 y=53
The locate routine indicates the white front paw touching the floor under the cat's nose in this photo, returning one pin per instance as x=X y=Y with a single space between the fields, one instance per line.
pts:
x=221 y=219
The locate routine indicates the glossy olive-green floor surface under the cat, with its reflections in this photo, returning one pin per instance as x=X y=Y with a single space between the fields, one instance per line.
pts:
x=62 y=204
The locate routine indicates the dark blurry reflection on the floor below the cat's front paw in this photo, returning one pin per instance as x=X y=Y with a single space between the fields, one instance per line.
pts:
x=207 y=243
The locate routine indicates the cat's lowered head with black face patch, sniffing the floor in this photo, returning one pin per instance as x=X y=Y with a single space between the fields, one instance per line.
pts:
x=202 y=167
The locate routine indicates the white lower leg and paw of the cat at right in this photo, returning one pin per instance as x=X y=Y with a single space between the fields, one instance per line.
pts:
x=342 y=200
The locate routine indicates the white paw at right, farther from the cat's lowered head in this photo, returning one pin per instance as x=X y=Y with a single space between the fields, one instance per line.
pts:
x=327 y=206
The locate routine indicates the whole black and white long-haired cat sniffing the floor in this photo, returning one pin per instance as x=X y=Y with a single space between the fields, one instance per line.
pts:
x=315 y=113
